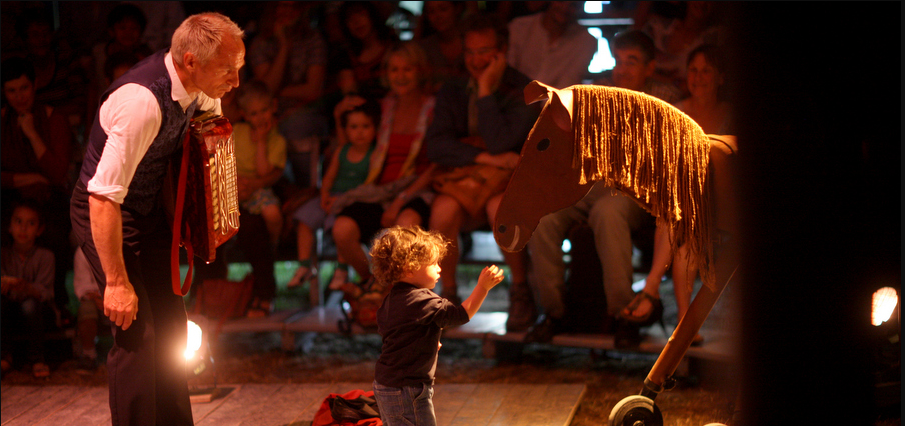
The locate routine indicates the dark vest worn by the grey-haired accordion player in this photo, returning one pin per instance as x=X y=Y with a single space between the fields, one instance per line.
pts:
x=145 y=186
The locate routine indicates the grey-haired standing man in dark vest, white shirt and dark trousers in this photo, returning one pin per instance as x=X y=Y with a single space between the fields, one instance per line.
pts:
x=119 y=220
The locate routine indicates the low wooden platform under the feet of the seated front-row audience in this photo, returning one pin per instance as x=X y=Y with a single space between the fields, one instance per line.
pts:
x=489 y=327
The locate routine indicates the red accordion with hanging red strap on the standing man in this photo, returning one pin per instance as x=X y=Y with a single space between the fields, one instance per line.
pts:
x=207 y=201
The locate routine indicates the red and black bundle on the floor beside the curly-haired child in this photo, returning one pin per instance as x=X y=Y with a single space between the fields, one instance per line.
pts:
x=353 y=408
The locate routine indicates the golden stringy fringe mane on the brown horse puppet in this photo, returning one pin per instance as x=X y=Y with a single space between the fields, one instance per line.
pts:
x=654 y=153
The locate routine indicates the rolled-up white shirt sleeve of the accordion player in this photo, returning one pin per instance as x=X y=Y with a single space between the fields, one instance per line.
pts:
x=131 y=118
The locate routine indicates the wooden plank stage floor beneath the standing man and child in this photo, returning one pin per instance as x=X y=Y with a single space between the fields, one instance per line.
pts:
x=296 y=404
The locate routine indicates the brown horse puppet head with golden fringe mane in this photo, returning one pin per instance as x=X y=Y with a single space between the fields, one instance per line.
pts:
x=632 y=142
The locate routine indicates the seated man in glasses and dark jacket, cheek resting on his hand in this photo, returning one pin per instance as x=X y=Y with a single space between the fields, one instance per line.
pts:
x=481 y=119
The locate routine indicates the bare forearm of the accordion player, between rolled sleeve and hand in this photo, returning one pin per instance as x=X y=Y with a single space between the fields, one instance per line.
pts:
x=107 y=231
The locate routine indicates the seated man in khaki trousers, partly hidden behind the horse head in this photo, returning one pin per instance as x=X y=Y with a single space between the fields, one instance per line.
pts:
x=612 y=216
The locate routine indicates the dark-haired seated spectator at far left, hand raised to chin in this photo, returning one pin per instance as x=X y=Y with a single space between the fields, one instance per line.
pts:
x=37 y=150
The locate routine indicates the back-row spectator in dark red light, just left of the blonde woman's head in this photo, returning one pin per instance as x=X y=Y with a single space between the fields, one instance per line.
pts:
x=369 y=39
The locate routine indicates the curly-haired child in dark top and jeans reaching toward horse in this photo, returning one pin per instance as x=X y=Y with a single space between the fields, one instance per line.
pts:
x=411 y=318
